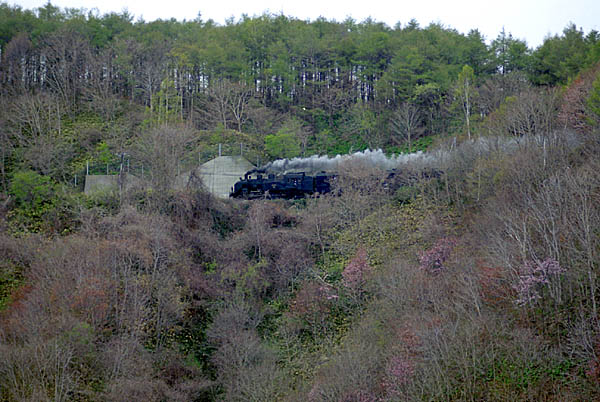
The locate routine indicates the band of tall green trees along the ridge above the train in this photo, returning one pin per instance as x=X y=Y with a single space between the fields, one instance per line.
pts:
x=343 y=84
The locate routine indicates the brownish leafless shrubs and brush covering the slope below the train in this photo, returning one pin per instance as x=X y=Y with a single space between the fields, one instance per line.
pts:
x=437 y=294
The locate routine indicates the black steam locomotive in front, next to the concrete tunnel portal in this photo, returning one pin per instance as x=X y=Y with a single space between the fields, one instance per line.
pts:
x=258 y=184
